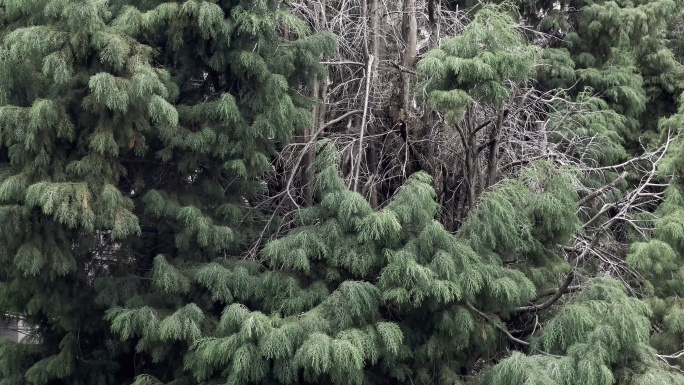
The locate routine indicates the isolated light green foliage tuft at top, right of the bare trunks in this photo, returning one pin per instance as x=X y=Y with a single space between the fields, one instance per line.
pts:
x=472 y=67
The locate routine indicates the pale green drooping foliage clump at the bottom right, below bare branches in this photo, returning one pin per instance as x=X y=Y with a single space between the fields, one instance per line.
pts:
x=598 y=329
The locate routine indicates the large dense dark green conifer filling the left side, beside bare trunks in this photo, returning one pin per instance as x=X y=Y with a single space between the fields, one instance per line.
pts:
x=132 y=138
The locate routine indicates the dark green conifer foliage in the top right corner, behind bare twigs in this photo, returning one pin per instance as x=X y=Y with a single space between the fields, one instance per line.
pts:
x=617 y=50
